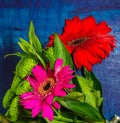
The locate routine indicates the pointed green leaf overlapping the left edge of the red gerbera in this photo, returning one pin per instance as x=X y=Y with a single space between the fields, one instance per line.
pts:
x=61 y=52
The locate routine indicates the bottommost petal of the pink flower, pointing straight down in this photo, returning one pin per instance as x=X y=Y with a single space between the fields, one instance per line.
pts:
x=47 y=111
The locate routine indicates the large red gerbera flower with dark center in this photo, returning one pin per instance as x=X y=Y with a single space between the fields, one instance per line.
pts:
x=88 y=42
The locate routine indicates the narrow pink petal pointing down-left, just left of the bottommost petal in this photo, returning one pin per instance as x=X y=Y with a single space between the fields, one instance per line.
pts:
x=36 y=109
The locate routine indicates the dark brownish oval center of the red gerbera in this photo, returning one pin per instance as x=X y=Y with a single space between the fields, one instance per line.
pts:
x=77 y=41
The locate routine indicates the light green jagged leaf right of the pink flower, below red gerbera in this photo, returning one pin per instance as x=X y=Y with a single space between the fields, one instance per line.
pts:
x=92 y=96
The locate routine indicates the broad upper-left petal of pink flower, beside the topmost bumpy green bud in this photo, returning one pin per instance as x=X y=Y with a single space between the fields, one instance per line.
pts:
x=39 y=73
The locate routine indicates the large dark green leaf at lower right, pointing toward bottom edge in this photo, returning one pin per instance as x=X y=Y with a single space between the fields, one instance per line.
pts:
x=84 y=110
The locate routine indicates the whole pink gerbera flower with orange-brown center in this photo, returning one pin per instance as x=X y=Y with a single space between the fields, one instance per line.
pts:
x=46 y=85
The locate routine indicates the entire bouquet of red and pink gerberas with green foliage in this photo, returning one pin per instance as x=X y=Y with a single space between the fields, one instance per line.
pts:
x=56 y=84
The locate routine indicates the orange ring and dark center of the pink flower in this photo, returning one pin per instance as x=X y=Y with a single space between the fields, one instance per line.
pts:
x=46 y=86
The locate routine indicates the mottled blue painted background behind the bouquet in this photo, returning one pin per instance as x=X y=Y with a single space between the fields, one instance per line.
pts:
x=49 y=17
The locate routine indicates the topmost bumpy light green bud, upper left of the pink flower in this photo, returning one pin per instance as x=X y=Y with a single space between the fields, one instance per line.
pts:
x=25 y=66
